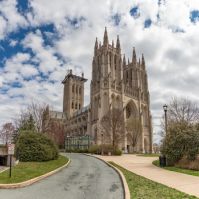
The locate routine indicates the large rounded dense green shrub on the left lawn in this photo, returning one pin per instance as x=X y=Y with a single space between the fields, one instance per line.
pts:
x=33 y=146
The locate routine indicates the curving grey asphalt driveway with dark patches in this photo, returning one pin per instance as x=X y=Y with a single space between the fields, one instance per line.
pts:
x=85 y=178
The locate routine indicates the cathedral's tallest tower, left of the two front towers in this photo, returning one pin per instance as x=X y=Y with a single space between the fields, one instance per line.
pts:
x=106 y=81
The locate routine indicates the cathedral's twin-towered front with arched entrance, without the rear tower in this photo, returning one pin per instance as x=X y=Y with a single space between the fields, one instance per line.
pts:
x=116 y=83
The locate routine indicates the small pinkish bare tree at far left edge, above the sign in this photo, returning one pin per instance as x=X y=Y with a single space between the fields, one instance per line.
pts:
x=7 y=132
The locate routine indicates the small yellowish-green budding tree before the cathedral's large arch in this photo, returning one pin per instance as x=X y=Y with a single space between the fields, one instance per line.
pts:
x=133 y=127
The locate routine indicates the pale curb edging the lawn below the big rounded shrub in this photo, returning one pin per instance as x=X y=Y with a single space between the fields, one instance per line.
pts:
x=33 y=180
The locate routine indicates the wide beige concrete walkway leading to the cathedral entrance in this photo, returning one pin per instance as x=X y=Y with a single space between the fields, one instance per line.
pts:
x=143 y=166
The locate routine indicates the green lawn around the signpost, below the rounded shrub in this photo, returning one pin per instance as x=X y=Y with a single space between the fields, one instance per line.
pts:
x=27 y=170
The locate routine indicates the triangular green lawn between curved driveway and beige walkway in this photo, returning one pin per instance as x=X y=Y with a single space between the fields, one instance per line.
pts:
x=144 y=188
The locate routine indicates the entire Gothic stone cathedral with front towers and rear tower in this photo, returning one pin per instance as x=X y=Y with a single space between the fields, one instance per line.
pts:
x=115 y=83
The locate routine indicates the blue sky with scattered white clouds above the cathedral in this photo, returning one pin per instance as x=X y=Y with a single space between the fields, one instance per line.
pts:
x=41 y=40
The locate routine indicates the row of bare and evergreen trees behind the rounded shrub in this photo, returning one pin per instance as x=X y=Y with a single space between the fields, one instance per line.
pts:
x=34 y=118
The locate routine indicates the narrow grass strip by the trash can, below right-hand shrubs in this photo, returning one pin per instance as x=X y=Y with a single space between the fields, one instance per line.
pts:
x=177 y=169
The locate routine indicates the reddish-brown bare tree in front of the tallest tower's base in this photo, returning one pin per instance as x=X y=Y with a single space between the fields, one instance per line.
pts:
x=112 y=125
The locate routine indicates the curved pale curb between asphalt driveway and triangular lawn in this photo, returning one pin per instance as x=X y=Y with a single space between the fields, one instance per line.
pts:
x=122 y=178
